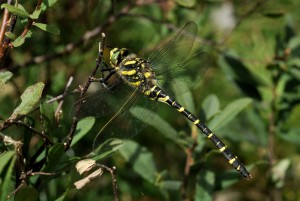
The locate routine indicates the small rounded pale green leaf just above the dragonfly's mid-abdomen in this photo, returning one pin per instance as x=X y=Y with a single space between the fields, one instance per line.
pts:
x=211 y=106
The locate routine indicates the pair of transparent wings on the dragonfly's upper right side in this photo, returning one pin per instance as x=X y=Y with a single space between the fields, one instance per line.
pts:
x=175 y=70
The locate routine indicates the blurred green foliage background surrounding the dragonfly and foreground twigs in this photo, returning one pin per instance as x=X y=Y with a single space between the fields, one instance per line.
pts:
x=249 y=96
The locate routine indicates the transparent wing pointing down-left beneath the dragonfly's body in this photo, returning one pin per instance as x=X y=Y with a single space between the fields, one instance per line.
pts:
x=127 y=122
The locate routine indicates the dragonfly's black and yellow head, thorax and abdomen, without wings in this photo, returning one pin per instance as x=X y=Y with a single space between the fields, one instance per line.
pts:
x=138 y=74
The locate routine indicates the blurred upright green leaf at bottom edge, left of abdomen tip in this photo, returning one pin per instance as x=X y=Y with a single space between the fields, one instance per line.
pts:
x=205 y=185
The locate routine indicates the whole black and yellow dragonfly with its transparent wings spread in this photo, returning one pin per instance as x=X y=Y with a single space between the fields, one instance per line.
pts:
x=132 y=87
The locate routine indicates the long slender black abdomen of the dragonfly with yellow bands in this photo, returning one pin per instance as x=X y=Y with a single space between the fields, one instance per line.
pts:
x=157 y=94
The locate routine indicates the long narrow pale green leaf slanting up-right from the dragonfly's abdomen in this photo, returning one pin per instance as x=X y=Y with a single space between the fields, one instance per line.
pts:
x=231 y=110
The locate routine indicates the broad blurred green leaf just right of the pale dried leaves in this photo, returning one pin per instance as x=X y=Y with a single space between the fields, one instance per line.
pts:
x=141 y=160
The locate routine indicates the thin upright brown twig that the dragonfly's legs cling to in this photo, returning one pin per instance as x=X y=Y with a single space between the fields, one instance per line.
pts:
x=69 y=138
